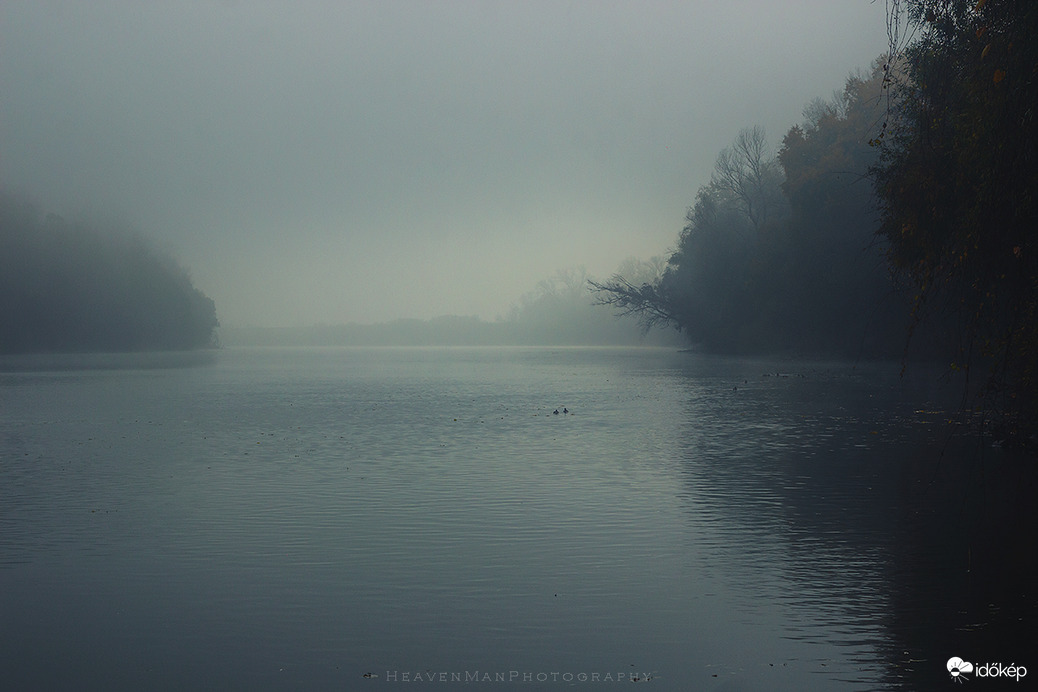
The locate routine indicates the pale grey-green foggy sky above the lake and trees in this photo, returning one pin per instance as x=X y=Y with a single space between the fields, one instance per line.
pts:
x=349 y=161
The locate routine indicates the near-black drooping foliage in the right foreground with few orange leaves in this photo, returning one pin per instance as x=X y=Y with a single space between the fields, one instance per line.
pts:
x=959 y=187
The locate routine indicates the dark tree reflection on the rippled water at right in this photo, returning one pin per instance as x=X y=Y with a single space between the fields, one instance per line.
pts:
x=905 y=540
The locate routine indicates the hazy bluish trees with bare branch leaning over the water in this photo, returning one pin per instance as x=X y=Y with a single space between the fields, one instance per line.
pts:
x=779 y=254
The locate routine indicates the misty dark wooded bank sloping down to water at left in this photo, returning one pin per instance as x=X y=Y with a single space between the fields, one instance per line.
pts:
x=70 y=288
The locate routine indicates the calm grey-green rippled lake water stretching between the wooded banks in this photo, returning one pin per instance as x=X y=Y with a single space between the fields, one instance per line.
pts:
x=358 y=519
